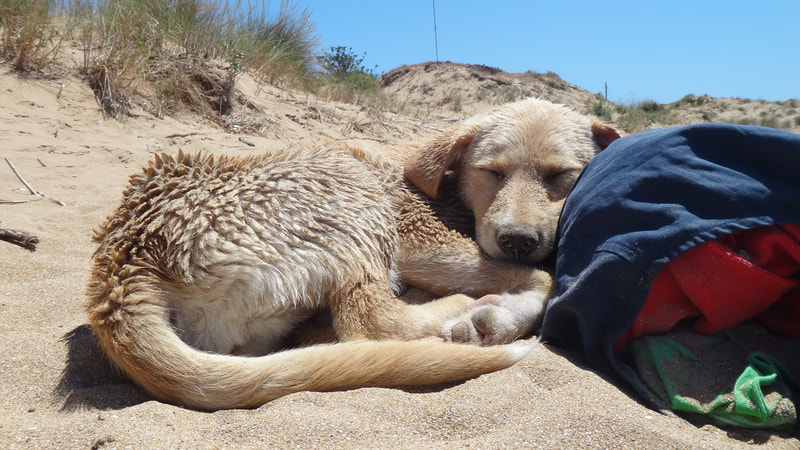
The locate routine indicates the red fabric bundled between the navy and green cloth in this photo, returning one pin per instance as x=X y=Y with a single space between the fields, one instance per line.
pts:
x=750 y=274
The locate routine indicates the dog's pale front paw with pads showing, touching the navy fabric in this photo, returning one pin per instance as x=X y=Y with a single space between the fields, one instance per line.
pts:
x=497 y=319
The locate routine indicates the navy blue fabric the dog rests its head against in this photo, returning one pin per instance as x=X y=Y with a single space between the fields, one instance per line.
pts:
x=645 y=200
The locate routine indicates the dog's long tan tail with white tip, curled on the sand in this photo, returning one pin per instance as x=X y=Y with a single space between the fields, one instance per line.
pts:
x=140 y=341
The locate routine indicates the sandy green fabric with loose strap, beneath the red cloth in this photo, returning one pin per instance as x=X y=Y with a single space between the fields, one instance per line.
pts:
x=718 y=377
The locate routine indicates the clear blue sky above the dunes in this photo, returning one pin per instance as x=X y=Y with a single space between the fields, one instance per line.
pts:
x=644 y=50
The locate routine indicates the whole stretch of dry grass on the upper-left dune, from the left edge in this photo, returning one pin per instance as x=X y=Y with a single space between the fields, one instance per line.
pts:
x=175 y=53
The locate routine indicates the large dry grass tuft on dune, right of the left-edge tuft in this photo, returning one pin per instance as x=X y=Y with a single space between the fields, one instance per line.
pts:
x=174 y=45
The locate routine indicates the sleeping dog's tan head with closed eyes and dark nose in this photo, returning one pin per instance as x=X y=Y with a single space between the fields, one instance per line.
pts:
x=514 y=167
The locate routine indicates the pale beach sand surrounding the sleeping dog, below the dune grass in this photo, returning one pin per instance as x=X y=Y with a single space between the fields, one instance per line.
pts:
x=57 y=392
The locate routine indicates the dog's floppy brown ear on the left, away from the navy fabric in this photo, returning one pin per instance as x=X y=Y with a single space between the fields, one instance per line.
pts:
x=427 y=165
